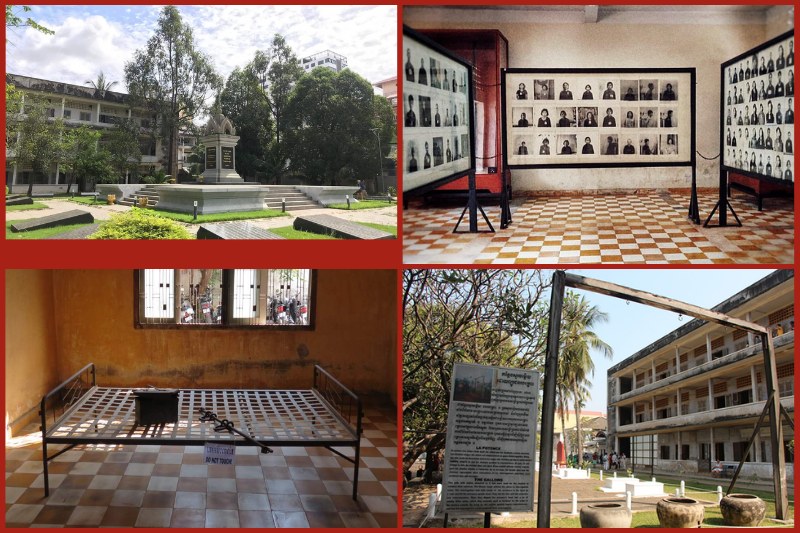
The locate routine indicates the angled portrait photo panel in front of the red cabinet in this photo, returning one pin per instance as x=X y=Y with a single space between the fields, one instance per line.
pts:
x=438 y=143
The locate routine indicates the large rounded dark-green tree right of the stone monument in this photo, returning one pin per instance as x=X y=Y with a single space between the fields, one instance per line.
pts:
x=331 y=116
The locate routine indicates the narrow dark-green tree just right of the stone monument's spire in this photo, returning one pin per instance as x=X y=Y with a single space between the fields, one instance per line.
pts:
x=244 y=102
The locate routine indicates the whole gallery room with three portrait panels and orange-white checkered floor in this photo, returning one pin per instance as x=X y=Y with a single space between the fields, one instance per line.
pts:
x=598 y=134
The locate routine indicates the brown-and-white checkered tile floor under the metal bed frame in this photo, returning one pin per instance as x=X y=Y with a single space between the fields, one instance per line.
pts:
x=168 y=486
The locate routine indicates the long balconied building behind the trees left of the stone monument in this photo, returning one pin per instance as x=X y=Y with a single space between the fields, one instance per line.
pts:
x=78 y=106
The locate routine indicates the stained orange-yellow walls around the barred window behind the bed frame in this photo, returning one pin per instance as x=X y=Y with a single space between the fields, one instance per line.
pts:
x=93 y=311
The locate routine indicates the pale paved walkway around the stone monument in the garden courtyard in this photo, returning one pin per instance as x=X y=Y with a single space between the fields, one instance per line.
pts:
x=100 y=212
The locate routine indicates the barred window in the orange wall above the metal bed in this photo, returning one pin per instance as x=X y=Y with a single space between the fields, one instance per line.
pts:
x=280 y=298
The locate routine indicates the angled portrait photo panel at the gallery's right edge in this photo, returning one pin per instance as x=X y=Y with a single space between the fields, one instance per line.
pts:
x=758 y=111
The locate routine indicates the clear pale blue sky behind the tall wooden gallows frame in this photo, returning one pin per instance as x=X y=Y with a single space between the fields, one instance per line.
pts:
x=633 y=326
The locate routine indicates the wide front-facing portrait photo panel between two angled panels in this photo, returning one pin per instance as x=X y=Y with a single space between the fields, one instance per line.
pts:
x=598 y=117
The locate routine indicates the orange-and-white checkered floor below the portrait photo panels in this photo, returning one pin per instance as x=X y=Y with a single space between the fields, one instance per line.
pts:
x=631 y=229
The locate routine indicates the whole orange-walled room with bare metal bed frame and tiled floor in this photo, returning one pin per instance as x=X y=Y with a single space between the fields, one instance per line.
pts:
x=201 y=398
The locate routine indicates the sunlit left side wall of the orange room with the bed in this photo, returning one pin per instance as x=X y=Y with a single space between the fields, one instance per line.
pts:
x=30 y=343
